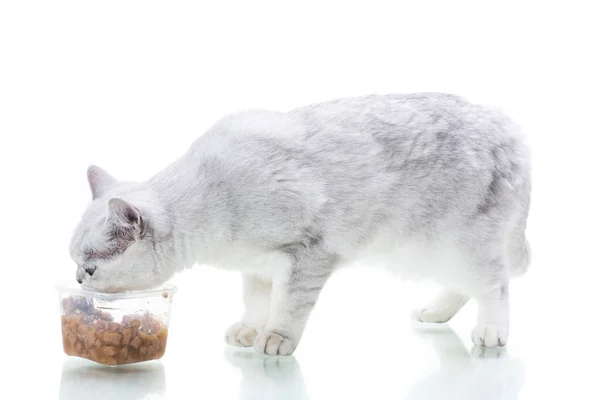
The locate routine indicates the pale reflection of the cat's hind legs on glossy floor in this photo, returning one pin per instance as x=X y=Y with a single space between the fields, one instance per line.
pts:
x=482 y=374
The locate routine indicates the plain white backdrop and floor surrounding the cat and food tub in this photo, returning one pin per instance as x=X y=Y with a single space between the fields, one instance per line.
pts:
x=129 y=85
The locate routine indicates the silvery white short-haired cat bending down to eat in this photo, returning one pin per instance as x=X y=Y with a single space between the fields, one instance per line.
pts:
x=429 y=184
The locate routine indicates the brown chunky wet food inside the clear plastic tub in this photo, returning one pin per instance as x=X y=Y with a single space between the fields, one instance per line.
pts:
x=93 y=334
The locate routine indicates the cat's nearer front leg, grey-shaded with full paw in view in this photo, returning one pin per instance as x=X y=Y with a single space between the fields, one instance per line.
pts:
x=294 y=294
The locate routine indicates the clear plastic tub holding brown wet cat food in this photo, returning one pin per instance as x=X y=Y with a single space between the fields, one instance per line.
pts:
x=115 y=328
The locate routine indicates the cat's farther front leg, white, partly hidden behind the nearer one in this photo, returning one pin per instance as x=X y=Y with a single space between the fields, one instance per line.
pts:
x=256 y=294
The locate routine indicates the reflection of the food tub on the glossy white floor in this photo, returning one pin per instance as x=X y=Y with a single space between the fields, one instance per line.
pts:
x=83 y=379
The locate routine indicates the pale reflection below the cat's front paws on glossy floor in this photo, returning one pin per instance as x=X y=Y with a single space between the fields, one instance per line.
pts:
x=267 y=377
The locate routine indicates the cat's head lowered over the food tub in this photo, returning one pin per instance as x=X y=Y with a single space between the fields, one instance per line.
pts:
x=115 y=243
